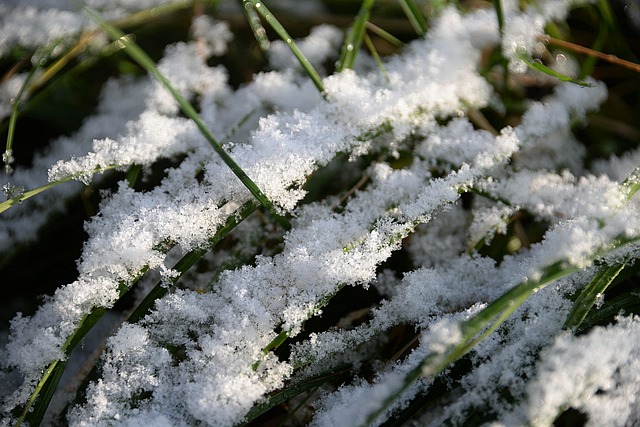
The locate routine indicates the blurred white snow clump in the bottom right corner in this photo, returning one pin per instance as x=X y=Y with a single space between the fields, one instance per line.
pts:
x=601 y=379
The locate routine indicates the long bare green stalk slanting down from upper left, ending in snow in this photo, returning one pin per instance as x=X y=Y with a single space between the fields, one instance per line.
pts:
x=138 y=55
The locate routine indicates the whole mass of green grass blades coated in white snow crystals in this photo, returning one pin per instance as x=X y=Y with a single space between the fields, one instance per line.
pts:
x=417 y=174
